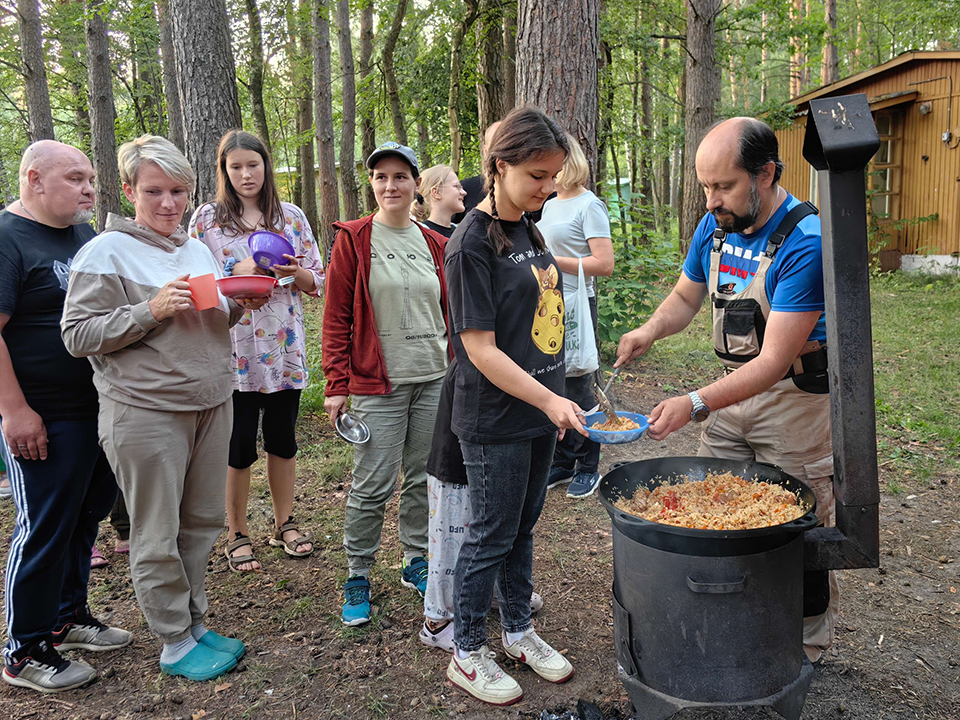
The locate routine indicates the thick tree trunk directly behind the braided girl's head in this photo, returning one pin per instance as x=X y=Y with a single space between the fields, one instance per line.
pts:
x=557 y=48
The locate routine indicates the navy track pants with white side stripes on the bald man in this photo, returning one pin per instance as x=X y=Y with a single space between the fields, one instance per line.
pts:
x=60 y=502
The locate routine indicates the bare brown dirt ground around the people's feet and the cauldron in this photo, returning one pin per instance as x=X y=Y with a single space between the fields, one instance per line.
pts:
x=897 y=653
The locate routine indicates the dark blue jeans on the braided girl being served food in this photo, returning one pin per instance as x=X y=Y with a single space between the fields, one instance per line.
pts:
x=507 y=485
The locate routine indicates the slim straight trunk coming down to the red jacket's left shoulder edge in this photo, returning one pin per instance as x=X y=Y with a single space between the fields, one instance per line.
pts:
x=323 y=112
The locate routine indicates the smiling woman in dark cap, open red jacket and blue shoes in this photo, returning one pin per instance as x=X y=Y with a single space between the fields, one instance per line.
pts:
x=385 y=351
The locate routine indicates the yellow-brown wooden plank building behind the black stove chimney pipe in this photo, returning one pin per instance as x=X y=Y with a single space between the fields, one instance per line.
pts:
x=914 y=179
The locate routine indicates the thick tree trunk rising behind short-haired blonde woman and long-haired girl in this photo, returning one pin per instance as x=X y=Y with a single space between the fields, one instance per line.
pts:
x=207 y=80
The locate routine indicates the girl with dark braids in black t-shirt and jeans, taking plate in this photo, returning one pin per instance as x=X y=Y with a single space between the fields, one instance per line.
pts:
x=506 y=309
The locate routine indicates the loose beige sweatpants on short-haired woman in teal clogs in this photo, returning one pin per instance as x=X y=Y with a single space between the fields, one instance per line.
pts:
x=172 y=468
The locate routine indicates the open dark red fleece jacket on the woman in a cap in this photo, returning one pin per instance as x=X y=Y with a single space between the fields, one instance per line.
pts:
x=352 y=356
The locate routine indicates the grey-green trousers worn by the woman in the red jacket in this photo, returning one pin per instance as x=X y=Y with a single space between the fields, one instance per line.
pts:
x=401 y=431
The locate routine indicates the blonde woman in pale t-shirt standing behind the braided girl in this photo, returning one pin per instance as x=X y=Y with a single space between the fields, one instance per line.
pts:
x=576 y=227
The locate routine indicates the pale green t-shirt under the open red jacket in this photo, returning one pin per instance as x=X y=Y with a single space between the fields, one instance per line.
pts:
x=405 y=291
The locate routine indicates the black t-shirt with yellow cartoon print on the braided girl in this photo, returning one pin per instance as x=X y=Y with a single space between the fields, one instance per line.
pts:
x=519 y=297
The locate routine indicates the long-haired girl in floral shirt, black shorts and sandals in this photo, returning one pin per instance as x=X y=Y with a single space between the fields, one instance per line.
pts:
x=268 y=345
